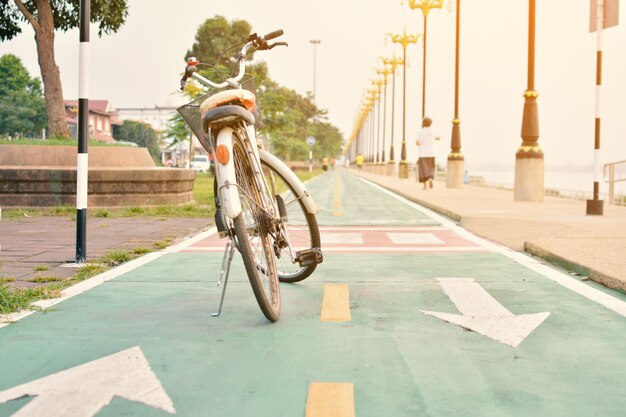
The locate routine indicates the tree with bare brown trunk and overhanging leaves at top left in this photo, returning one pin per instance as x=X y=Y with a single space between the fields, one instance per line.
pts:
x=46 y=16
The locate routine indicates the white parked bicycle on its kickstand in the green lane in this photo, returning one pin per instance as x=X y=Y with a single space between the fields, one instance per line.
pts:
x=254 y=190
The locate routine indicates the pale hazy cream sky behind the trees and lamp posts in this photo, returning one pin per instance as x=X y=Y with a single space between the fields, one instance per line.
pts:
x=141 y=65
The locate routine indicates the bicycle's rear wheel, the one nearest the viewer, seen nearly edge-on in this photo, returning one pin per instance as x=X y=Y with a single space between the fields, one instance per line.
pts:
x=254 y=242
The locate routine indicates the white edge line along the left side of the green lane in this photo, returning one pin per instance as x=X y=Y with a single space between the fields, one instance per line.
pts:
x=93 y=282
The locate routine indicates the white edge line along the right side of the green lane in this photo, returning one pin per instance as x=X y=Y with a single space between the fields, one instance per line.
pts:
x=559 y=277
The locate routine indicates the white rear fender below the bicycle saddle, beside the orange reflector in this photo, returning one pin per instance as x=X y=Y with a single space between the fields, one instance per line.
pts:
x=226 y=178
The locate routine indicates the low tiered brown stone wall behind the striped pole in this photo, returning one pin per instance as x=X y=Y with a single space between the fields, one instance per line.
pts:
x=129 y=179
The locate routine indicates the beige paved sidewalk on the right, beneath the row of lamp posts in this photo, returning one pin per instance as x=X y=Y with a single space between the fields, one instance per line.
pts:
x=556 y=229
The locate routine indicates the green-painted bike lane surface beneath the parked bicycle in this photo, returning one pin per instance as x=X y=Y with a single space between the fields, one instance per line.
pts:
x=146 y=341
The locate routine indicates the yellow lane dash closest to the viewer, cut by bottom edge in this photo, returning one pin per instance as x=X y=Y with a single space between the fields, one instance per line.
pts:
x=330 y=399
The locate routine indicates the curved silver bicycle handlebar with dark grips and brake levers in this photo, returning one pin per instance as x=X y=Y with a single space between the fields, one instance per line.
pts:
x=253 y=41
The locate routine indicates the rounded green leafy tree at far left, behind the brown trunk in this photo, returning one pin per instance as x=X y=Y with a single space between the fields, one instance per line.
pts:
x=22 y=107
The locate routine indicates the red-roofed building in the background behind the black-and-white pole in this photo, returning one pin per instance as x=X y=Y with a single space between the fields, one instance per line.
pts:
x=102 y=117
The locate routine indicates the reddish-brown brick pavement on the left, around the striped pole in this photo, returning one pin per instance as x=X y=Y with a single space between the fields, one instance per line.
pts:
x=47 y=243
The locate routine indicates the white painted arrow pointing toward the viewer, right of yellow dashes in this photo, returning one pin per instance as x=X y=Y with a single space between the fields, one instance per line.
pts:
x=482 y=314
